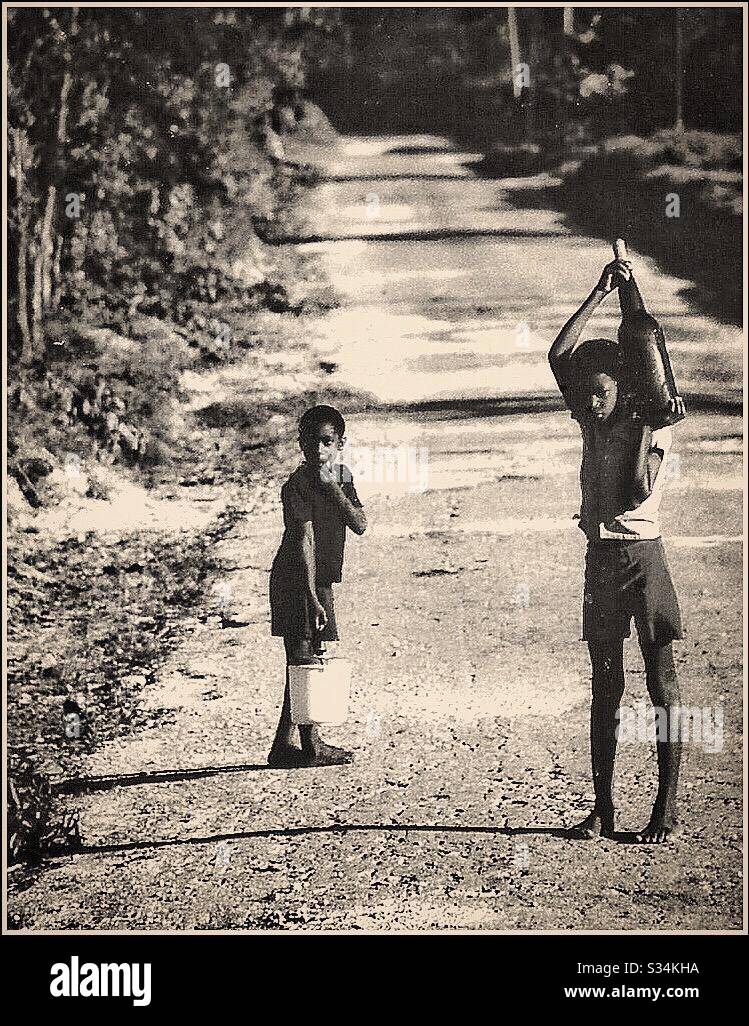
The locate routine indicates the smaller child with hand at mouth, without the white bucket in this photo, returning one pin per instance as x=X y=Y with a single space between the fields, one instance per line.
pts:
x=320 y=503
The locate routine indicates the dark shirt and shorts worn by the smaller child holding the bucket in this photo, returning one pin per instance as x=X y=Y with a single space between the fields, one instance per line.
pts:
x=304 y=500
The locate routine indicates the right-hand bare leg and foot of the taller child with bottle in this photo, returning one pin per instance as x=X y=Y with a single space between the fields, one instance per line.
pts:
x=663 y=687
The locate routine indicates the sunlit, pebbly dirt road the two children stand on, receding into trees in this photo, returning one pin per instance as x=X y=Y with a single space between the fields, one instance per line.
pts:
x=460 y=610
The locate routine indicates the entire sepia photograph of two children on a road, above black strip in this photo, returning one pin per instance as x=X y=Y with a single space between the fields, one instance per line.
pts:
x=374 y=486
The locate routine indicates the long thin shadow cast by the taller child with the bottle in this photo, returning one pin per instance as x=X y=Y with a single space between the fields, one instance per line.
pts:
x=335 y=828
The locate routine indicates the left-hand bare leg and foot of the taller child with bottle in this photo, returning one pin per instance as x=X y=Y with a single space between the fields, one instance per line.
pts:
x=608 y=663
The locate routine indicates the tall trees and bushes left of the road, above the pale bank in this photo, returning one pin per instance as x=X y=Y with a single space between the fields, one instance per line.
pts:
x=148 y=182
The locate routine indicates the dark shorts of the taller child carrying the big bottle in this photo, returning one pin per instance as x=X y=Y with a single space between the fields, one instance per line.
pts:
x=625 y=580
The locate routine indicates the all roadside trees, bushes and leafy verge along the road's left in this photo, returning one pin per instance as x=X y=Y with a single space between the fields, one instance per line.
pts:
x=149 y=182
